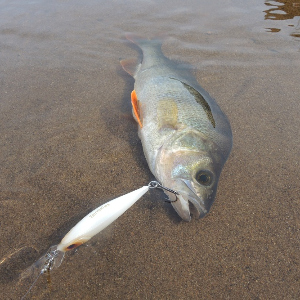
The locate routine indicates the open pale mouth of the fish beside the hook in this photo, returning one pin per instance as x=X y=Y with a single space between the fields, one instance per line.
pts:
x=188 y=202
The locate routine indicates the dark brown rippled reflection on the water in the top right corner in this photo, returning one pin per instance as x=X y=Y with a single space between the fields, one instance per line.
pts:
x=283 y=10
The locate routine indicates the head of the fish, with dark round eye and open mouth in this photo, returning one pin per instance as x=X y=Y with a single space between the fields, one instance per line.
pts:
x=192 y=169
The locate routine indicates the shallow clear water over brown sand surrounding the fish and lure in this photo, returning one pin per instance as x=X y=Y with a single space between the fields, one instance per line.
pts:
x=68 y=143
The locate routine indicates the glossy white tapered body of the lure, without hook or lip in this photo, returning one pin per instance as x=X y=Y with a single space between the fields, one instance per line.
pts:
x=99 y=219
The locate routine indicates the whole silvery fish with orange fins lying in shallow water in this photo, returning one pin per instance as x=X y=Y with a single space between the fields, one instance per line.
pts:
x=186 y=137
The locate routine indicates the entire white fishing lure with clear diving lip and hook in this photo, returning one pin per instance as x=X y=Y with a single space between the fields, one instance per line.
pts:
x=85 y=229
